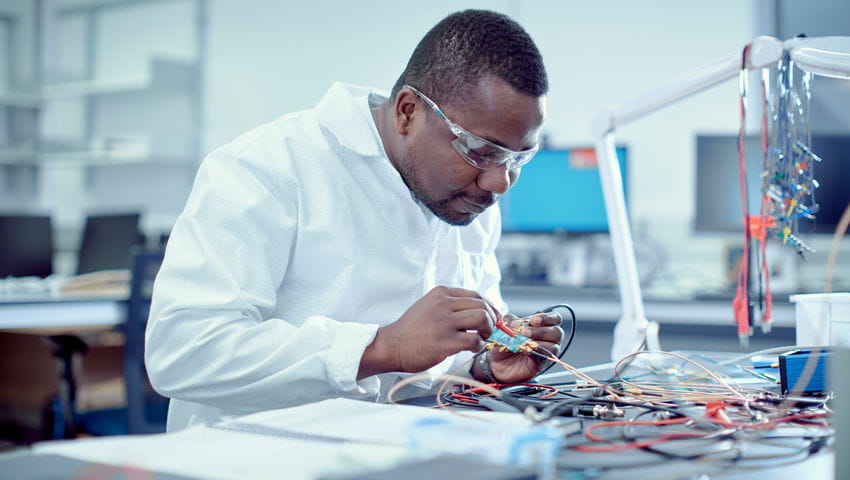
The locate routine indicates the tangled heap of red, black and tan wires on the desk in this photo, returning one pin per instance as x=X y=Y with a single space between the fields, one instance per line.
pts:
x=698 y=415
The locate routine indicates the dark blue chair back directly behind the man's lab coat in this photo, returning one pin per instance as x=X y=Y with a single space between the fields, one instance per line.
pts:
x=146 y=410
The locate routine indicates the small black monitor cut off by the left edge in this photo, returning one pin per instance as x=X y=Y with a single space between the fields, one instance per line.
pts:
x=26 y=246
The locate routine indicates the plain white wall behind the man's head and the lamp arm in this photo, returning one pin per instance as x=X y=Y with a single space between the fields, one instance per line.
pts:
x=268 y=57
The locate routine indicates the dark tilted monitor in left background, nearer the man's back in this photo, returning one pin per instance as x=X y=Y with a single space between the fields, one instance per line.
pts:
x=107 y=240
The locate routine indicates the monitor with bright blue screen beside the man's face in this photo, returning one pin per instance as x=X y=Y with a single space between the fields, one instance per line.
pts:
x=559 y=191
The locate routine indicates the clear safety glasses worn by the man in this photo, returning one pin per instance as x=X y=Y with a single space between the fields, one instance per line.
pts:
x=479 y=152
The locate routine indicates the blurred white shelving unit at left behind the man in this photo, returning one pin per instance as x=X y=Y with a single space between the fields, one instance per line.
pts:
x=112 y=120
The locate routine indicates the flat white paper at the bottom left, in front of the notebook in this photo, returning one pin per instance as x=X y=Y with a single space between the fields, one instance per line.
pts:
x=210 y=453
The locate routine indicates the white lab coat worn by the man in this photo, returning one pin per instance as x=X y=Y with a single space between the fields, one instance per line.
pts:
x=300 y=239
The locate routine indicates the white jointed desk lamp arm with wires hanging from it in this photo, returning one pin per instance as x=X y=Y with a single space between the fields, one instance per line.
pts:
x=829 y=56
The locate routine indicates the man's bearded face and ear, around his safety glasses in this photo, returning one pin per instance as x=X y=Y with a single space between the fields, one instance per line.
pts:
x=453 y=189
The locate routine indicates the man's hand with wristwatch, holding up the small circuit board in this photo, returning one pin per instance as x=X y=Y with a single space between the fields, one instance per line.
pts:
x=544 y=328
